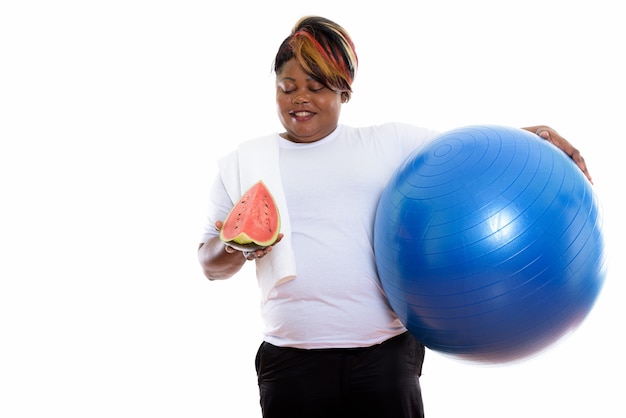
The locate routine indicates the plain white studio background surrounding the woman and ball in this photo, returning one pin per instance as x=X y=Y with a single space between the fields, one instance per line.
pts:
x=112 y=114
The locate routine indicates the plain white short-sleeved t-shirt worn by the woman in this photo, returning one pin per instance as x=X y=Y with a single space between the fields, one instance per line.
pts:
x=332 y=188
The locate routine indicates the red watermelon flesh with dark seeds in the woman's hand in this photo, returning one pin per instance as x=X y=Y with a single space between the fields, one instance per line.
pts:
x=254 y=221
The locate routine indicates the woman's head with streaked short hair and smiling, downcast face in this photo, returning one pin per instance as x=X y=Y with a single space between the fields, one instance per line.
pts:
x=315 y=67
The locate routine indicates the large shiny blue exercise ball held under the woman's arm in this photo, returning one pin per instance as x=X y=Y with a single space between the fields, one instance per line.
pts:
x=488 y=244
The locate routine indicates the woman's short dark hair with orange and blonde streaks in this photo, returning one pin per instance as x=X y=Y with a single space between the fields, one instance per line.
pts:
x=323 y=49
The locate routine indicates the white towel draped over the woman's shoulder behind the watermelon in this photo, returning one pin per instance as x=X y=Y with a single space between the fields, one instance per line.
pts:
x=258 y=160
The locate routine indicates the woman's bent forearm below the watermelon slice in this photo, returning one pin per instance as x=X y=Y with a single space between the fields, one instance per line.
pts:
x=216 y=262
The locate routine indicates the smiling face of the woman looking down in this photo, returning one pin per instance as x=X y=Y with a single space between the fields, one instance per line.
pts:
x=307 y=109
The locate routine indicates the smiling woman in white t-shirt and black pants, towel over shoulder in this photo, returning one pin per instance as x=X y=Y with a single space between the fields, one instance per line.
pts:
x=332 y=346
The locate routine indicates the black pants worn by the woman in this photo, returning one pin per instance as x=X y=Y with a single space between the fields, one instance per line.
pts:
x=381 y=381
